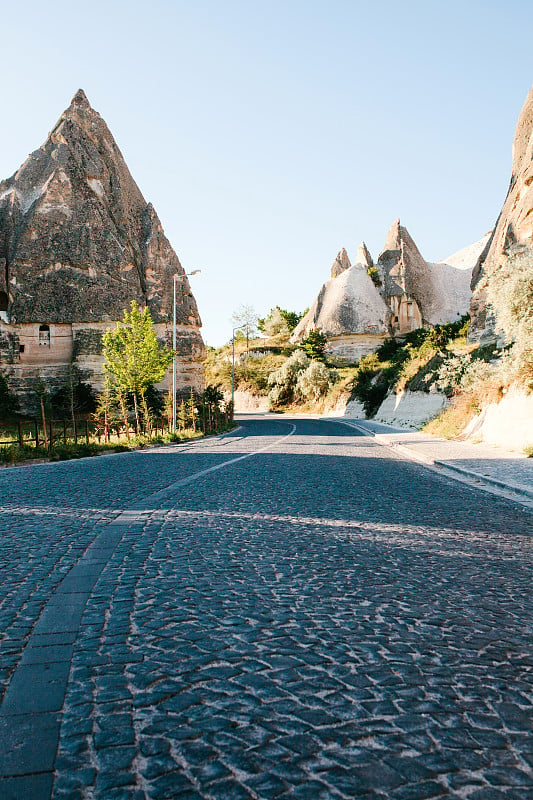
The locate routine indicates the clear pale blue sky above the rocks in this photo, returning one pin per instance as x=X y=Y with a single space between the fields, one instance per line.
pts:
x=270 y=134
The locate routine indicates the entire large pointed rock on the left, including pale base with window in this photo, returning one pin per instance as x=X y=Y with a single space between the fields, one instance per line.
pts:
x=78 y=243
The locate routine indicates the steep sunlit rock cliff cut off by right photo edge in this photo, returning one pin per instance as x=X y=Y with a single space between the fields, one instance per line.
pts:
x=513 y=234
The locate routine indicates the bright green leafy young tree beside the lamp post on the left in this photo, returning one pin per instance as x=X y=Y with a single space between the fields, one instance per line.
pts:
x=133 y=358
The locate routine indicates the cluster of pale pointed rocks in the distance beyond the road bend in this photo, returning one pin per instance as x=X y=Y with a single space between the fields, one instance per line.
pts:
x=356 y=315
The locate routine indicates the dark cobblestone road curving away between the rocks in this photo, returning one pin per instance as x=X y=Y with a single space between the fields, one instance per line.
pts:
x=292 y=611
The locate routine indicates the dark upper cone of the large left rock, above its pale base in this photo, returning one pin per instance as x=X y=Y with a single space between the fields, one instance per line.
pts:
x=81 y=239
